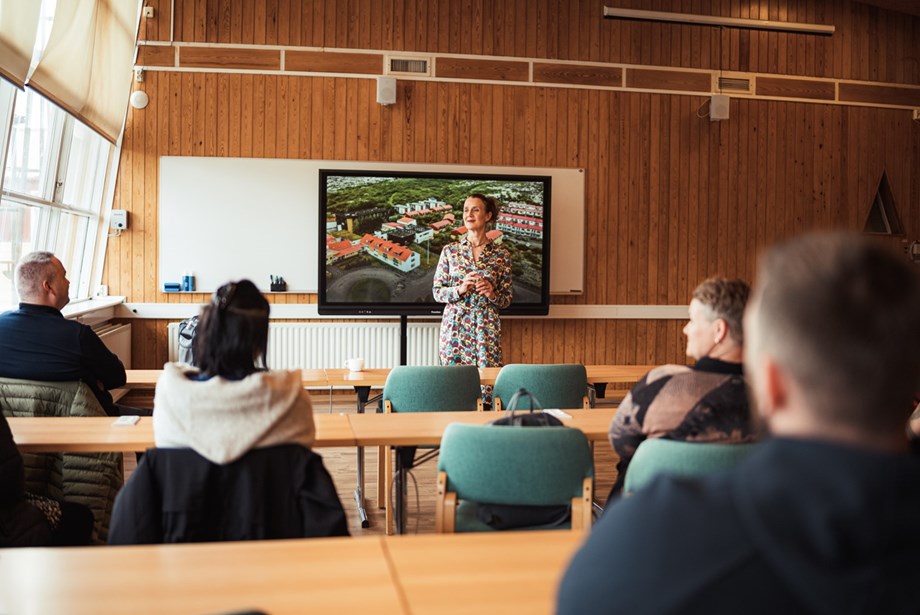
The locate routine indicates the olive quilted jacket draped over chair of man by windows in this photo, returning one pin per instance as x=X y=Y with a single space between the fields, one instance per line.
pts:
x=91 y=479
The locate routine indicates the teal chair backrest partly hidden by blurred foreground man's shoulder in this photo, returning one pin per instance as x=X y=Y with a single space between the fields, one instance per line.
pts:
x=655 y=457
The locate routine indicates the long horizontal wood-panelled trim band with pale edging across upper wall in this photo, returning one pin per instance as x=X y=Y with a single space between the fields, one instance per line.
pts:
x=362 y=63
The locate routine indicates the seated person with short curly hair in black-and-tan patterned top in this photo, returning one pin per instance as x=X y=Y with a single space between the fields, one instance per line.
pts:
x=705 y=403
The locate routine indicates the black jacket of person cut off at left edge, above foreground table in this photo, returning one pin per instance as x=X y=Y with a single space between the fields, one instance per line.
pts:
x=21 y=524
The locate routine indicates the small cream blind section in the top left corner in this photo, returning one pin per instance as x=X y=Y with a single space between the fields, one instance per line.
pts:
x=18 y=29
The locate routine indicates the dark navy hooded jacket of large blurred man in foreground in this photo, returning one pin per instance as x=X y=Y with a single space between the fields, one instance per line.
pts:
x=801 y=526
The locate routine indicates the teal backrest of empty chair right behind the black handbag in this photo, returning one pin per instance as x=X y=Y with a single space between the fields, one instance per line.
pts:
x=533 y=466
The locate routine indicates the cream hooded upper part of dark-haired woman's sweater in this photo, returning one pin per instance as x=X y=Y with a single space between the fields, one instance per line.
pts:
x=223 y=419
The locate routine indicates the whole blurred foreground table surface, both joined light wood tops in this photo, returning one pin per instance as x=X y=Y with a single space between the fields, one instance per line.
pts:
x=501 y=572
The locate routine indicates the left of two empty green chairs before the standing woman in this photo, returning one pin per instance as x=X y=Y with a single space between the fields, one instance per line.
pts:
x=411 y=388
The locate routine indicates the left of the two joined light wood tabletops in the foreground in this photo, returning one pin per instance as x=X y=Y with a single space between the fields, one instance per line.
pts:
x=320 y=575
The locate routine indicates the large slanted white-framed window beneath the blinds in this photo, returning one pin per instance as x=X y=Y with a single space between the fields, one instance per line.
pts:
x=54 y=172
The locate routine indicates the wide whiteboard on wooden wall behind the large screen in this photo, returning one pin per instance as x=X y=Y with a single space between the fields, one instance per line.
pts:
x=231 y=218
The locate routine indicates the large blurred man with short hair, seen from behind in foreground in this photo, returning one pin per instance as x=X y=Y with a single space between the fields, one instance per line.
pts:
x=822 y=518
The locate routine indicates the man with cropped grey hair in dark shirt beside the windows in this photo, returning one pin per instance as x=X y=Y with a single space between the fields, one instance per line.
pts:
x=38 y=343
